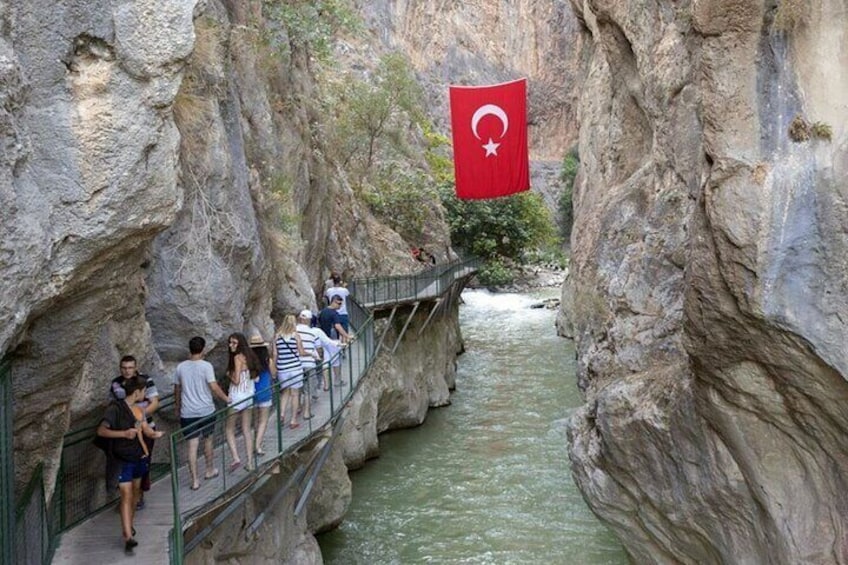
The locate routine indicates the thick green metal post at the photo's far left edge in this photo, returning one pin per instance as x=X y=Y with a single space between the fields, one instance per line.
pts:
x=7 y=468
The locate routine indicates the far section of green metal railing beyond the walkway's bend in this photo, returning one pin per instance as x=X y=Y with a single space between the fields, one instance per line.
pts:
x=378 y=292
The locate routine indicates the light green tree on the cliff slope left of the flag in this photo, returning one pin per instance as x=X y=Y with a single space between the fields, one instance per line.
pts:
x=369 y=131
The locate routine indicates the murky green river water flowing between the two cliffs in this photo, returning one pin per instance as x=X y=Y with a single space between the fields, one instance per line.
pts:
x=486 y=479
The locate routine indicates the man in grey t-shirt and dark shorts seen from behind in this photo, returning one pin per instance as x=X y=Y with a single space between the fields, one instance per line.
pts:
x=194 y=387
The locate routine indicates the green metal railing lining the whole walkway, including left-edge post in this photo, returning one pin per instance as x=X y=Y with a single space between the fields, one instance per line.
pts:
x=30 y=528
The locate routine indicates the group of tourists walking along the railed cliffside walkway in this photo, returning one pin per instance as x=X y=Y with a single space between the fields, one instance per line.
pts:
x=302 y=346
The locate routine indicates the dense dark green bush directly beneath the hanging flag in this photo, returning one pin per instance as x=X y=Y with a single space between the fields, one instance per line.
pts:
x=500 y=227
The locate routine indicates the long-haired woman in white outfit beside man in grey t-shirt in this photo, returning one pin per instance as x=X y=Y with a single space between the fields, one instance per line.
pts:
x=243 y=371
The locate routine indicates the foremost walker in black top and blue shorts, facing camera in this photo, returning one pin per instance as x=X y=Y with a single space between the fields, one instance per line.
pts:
x=125 y=424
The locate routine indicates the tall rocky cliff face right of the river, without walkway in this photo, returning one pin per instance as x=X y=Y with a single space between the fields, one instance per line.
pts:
x=708 y=297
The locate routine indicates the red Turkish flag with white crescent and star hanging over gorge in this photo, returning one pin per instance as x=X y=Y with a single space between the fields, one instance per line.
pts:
x=489 y=126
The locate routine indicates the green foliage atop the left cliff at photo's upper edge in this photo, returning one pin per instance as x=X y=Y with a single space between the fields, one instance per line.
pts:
x=311 y=24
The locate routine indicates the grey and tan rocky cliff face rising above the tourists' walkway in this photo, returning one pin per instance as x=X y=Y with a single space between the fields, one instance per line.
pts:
x=161 y=178
